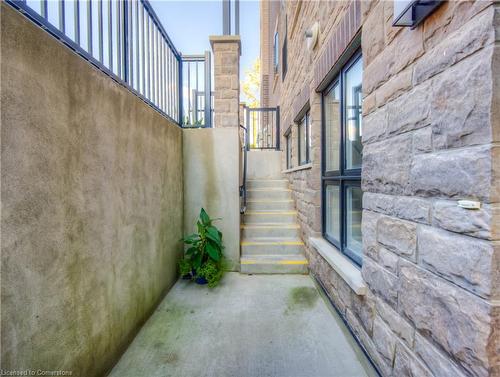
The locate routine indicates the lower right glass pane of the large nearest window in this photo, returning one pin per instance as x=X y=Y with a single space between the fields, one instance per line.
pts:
x=354 y=210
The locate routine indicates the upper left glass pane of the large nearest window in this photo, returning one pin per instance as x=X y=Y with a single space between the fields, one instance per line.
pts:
x=332 y=129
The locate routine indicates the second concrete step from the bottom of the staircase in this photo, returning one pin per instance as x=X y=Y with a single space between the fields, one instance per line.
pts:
x=272 y=246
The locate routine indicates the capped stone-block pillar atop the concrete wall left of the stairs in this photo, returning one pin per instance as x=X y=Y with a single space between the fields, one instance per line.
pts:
x=226 y=49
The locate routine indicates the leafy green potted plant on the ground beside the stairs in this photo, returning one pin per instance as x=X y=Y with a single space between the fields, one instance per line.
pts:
x=204 y=259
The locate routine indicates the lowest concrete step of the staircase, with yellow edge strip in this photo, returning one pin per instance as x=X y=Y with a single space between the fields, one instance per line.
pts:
x=273 y=264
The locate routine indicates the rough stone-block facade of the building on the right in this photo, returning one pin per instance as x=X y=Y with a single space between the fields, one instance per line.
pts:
x=430 y=133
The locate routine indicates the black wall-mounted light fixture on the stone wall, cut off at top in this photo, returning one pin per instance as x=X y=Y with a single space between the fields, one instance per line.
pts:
x=412 y=12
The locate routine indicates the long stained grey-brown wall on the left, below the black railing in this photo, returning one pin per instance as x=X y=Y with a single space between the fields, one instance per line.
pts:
x=92 y=207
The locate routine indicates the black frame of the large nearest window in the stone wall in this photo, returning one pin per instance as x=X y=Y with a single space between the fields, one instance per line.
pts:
x=342 y=177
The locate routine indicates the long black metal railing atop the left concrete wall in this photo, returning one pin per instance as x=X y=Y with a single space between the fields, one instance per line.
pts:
x=123 y=38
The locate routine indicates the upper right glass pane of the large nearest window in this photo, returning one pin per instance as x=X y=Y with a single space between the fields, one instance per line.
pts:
x=353 y=102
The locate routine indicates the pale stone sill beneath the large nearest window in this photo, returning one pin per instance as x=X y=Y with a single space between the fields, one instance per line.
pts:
x=341 y=264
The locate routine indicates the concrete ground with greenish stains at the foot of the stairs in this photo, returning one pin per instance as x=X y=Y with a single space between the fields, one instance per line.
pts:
x=260 y=325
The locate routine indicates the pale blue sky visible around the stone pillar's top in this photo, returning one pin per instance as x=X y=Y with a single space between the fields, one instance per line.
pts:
x=190 y=23
